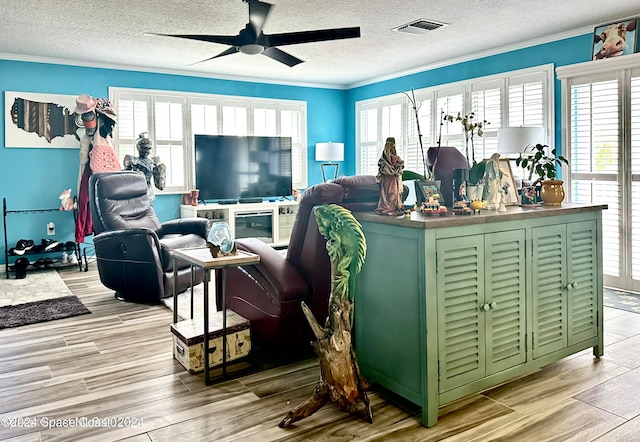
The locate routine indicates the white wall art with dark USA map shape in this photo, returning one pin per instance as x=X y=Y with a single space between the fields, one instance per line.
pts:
x=40 y=120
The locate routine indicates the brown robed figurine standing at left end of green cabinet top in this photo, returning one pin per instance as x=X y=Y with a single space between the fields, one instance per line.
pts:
x=390 y=167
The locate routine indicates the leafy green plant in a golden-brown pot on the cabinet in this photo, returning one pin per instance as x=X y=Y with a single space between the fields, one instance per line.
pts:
x=544 y=165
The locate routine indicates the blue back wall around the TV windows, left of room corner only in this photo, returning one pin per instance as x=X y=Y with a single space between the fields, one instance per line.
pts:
x=33 y=178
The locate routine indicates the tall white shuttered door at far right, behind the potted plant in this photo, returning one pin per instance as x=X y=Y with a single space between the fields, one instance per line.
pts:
x=601 y=110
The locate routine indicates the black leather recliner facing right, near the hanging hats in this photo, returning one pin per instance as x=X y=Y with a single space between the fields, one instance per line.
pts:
x=134 y=250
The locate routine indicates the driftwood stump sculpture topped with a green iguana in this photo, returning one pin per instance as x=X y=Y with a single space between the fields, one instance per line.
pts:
x=340 y=379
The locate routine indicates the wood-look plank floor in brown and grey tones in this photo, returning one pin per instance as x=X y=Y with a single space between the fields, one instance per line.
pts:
x=116 y=364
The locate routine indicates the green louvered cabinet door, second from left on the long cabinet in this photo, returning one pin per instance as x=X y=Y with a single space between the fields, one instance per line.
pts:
x=505 y=300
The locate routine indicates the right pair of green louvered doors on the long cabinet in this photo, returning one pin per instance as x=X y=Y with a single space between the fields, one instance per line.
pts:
x=564 y=277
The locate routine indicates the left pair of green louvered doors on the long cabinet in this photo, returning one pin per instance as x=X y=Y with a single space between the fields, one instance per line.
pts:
x=481 y=306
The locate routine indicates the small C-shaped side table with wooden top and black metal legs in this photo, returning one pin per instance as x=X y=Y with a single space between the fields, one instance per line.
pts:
x=201 y=257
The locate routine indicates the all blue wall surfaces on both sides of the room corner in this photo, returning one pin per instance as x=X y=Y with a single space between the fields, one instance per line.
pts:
x=32 y=178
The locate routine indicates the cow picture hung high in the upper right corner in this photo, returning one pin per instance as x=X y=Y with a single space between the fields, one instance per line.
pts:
x=615 y=39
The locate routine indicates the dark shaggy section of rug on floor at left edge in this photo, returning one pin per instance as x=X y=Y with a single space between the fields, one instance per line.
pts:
x=41 y=311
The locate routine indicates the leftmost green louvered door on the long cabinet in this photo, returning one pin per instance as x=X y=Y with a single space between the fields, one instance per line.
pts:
x=460 y=286
